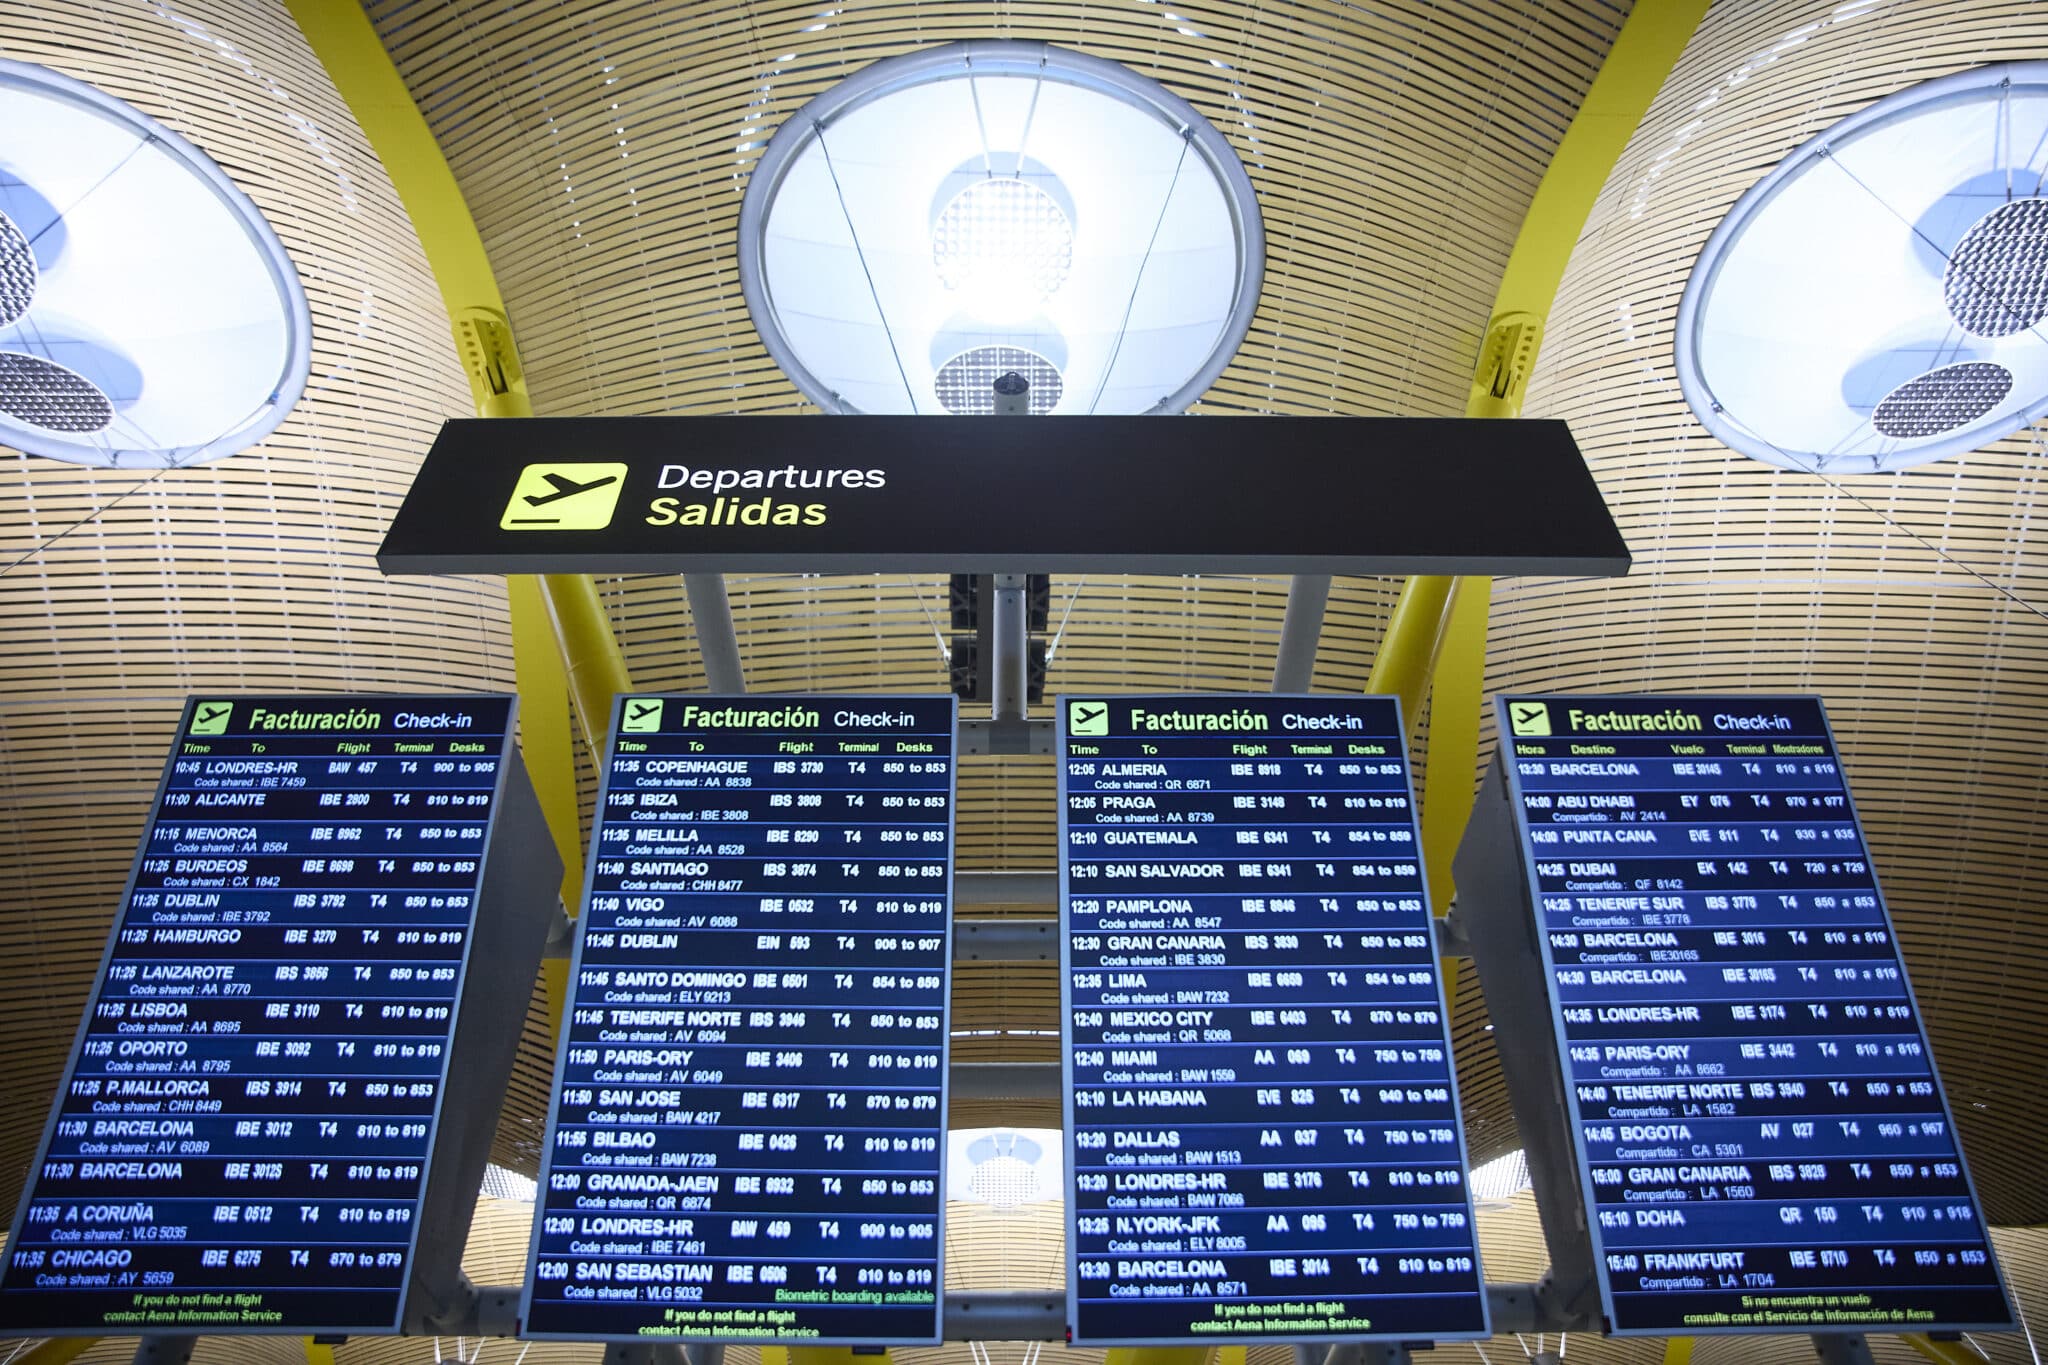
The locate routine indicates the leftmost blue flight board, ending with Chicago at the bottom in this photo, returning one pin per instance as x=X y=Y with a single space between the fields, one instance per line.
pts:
x=245 y=1127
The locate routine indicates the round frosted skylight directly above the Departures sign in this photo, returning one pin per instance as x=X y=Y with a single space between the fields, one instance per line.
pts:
x=1000 y=200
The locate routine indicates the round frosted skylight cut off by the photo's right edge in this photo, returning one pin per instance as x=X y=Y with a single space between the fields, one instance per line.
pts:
x=1881 y=300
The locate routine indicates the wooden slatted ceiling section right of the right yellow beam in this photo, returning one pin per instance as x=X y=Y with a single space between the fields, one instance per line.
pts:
x=1912 y=603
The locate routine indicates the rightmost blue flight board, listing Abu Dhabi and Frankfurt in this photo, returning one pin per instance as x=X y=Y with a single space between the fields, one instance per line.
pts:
x=1762 y=1139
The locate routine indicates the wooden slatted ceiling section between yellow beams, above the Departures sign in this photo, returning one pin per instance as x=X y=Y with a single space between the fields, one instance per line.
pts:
x=1390 y=179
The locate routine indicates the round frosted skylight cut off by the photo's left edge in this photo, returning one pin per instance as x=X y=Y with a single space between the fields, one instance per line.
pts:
x=148 y=314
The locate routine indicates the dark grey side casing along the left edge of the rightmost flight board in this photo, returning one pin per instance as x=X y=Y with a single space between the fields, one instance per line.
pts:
x=1494 y=918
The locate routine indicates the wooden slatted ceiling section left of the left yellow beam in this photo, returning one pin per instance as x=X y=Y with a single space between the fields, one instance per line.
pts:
x=124 y=592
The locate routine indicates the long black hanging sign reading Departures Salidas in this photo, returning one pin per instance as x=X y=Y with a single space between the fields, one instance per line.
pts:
x=990 y=496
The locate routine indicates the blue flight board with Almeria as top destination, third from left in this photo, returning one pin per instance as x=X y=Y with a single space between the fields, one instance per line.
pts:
x=1263 y=1116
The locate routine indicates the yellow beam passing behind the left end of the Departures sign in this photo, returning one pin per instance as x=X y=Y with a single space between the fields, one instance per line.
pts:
x=562 y=640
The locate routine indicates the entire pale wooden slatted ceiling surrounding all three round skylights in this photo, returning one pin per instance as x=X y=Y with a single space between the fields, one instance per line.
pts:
x=1394 y=144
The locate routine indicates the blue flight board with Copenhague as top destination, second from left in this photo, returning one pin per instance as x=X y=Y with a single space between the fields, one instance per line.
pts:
x=751 y=1100
